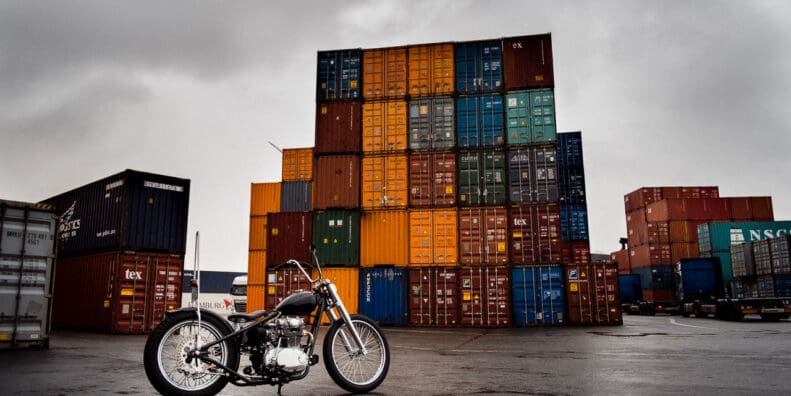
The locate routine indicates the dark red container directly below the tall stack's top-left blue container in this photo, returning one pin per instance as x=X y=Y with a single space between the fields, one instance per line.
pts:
x=338 y=128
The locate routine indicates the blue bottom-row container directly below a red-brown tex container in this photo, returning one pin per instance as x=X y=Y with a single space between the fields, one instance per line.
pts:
x=538 y=295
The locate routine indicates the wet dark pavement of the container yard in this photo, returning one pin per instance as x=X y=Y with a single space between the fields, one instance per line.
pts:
x=648 y=355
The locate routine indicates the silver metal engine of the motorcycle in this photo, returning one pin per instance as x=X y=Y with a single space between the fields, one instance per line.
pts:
x=285 y=353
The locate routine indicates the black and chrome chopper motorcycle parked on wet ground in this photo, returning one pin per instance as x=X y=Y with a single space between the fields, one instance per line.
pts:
x=197 y=352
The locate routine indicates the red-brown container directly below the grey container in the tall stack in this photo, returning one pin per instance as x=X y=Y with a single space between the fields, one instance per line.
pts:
x=432 y=179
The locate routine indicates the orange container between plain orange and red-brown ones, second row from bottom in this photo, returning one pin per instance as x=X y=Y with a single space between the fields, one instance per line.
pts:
x=433 y=237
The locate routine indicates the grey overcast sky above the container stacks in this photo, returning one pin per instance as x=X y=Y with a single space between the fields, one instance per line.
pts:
x=664 y=92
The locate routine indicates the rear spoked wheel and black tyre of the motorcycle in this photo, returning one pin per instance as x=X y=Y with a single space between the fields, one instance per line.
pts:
x=165 y=356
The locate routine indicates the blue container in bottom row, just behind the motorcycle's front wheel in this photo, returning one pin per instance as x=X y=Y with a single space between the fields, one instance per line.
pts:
x=383 y=295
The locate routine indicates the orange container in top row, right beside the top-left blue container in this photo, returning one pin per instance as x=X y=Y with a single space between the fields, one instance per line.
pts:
x=384 y=73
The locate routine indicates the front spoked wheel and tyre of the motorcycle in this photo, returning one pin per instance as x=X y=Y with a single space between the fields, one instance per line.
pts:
x=348 y=367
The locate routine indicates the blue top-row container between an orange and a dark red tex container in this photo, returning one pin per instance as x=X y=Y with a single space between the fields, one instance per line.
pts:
x=479 y=66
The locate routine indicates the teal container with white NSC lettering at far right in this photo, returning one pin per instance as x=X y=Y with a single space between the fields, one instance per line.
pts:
x=715 y=239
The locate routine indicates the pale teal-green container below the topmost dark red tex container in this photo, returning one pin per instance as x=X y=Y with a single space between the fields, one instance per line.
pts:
x=530 y=117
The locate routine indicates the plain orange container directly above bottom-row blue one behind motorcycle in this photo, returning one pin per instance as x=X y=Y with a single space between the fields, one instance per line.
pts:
x=384 y=238
